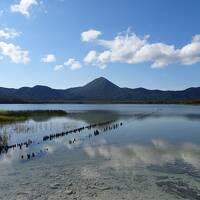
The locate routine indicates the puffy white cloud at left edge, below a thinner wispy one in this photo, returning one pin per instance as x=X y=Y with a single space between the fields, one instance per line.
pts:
x=15 y=53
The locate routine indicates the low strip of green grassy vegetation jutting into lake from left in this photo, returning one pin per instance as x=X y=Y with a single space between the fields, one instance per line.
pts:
x=13 y=116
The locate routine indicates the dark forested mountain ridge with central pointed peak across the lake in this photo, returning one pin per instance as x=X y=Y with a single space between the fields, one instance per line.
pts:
x=99 y=90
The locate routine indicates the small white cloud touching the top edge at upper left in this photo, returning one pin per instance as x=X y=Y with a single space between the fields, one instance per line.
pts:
x=24 y=6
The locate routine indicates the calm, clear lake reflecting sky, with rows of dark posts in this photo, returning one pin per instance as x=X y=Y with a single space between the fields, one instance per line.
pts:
x=103 y=152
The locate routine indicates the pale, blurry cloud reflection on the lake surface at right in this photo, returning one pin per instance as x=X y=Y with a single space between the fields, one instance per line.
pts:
x=158 y=153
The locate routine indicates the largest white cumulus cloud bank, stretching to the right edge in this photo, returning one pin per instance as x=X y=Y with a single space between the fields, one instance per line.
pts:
x=131 y=49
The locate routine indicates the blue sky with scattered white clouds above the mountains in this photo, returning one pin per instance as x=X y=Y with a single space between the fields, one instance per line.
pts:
x=133 y=43
